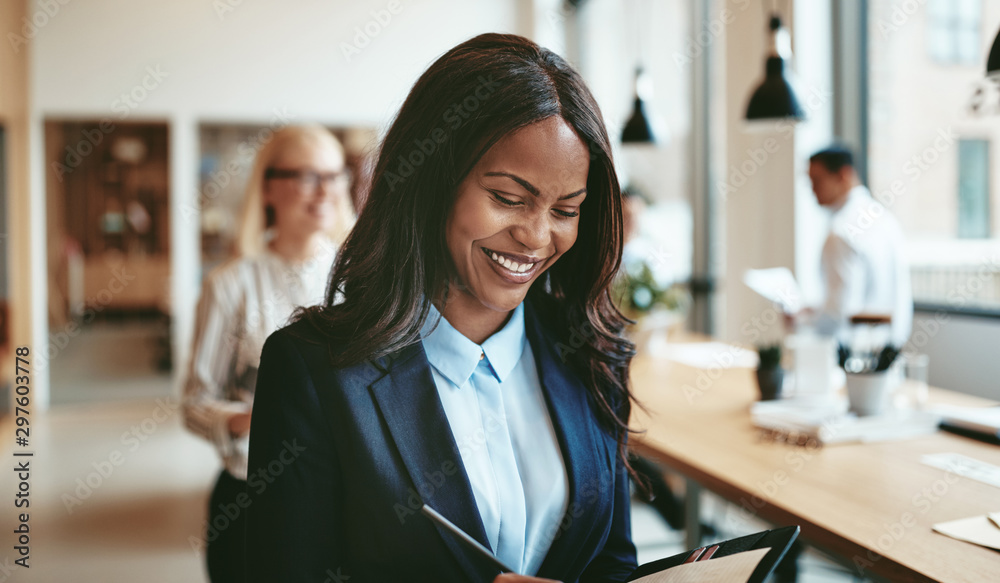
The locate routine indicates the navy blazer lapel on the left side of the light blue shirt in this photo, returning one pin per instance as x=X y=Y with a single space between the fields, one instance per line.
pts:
x=408 y=399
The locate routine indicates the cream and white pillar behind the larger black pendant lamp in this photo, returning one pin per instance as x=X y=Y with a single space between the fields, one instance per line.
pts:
x=771 y=218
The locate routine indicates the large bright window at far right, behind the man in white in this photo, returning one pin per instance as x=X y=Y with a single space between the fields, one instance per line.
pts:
x=926 y=141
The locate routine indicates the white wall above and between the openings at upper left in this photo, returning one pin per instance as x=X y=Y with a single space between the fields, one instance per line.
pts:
x=243 y=65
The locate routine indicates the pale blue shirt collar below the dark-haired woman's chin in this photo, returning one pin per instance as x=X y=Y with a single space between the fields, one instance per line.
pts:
x=456 y=357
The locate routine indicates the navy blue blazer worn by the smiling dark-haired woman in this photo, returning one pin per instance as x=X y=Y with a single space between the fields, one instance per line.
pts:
x=341 y=460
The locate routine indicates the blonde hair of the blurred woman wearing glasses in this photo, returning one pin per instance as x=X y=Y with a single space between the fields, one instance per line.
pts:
x=256 y=220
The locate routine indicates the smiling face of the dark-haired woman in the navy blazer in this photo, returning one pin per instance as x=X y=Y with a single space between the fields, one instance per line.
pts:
x=517 y=212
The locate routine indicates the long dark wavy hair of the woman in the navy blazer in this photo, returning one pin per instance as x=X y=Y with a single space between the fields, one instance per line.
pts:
x=396 y=259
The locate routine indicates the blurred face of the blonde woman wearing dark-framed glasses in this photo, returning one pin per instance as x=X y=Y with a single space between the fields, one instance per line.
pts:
x=308 y=177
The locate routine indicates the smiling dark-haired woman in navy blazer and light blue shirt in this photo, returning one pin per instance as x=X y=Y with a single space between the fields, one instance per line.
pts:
x=484 y=247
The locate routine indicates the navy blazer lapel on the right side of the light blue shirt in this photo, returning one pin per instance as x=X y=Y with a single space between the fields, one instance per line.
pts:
x=588 y=477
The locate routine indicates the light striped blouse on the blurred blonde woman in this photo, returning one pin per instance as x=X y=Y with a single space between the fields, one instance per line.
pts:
x=242 y=302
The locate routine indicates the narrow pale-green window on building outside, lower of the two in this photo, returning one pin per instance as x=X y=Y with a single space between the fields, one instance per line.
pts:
x=973 y=189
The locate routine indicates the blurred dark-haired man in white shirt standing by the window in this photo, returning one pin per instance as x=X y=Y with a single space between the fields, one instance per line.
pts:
x=863 y=262
